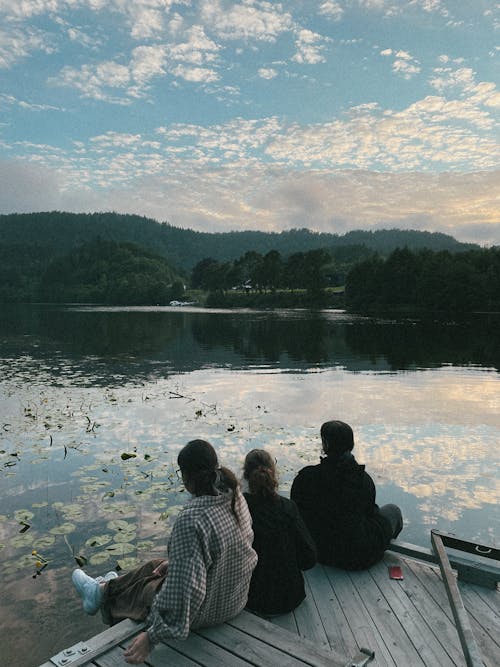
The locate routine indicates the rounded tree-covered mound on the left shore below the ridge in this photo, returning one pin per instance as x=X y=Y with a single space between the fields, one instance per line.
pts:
x=109 y=272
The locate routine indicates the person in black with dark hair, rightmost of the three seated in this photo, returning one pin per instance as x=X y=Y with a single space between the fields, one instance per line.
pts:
x=337 y=501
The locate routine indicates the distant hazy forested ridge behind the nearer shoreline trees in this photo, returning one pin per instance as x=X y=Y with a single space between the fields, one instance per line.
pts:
x=55 y=233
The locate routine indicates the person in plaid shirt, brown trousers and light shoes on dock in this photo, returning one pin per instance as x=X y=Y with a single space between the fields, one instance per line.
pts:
x=206 y=578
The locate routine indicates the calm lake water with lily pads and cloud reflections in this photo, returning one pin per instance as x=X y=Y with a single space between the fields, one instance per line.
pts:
x=95 y=404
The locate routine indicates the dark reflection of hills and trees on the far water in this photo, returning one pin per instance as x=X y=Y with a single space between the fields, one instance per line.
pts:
x=97 y=345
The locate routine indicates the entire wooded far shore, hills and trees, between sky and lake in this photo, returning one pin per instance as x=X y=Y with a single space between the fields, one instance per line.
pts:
x=68 y=260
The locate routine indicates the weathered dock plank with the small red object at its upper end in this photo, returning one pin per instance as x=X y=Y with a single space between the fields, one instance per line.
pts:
x=413 y=624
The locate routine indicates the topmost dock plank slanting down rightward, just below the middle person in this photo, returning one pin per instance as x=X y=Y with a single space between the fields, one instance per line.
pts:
x=285 y=642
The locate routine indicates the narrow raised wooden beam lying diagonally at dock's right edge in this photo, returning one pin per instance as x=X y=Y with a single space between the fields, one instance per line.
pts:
x=470 y=648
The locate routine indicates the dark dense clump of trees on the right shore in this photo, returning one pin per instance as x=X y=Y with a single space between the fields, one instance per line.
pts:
x=425 y=280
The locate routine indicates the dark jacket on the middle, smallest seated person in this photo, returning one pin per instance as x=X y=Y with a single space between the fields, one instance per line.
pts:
x=284 y=548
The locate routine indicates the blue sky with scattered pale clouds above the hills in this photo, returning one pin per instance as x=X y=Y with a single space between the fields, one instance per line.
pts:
x=218 y=115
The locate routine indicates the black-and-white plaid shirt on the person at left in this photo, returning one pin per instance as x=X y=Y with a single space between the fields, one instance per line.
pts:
x=209 y=570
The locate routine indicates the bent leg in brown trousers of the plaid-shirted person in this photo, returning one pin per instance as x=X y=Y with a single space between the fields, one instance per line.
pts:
x=131 y=595
